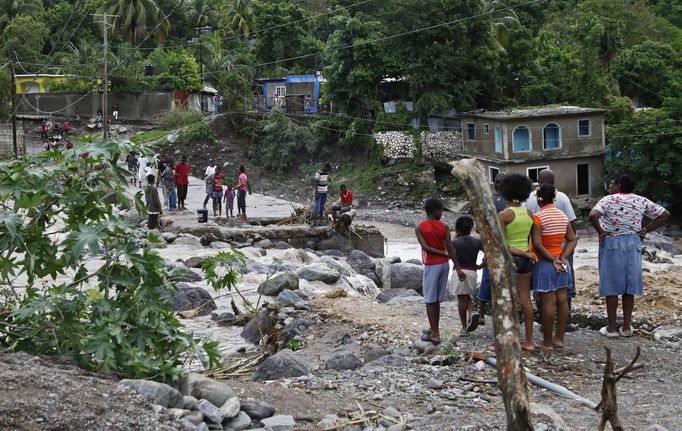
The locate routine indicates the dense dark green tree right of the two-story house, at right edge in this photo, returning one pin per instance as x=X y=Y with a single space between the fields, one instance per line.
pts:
x=649 y=147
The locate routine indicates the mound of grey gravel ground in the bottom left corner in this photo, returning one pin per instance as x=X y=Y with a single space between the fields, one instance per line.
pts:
x=48 y=394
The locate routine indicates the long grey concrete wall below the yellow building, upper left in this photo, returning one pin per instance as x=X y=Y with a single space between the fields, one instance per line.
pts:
x=149 y=106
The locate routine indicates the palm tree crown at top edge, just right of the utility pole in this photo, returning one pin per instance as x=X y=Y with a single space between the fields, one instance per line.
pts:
x=135 y=18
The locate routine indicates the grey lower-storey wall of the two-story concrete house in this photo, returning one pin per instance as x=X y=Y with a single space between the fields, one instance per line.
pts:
x=565 y=170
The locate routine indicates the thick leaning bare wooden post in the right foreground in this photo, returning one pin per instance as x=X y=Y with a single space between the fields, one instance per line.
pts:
x=511 y=377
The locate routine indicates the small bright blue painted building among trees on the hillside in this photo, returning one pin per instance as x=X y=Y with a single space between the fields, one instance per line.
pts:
x=293 y=93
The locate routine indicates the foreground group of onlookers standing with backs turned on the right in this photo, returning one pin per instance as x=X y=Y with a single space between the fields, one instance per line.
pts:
x=539 y=230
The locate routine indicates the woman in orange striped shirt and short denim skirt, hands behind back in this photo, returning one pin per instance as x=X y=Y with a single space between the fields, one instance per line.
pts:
x=553 y=241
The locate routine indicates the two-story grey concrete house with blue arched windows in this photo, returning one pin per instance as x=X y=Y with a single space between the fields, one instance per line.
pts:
x=569 y=140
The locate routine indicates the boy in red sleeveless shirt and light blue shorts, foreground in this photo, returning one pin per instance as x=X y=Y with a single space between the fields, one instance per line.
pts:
x=434 y=238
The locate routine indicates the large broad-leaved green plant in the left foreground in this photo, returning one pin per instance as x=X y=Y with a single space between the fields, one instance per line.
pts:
x=98 y=295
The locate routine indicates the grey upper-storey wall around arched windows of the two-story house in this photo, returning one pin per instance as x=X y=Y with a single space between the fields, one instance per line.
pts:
x=572 y=145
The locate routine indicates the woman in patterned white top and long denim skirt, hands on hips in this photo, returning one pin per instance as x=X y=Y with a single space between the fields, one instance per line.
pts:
x=617 y=219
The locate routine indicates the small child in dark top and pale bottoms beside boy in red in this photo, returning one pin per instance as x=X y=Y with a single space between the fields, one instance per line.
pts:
x=467 y=248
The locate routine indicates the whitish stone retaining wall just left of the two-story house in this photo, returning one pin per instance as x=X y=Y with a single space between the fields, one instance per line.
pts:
x=437 y=146
